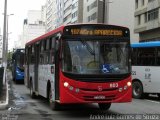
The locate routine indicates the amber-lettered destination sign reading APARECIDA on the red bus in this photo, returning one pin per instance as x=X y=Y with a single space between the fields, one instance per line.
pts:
x=97 y=32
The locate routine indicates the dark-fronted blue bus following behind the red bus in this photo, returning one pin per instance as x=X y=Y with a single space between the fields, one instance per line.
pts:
x=18 y=65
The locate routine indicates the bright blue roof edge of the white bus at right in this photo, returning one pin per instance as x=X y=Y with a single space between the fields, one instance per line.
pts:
x=146 y=44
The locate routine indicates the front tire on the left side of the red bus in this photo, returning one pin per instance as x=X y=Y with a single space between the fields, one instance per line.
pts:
x=53 y=104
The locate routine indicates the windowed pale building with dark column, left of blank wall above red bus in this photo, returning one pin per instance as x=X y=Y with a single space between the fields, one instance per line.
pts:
x=95 y=11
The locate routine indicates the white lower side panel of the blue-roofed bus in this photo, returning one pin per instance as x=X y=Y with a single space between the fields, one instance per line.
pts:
x=148 y=75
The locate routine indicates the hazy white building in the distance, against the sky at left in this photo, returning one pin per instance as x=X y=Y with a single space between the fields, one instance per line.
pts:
x=33 y=27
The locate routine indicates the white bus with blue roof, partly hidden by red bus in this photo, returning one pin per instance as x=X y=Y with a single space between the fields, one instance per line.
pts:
x=145 y=68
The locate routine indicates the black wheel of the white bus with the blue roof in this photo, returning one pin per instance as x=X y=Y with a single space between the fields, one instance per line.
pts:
x=137 y=90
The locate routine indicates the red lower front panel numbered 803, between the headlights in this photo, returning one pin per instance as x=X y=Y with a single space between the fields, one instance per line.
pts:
x=107 y=92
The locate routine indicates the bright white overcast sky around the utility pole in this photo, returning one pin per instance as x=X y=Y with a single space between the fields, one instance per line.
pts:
x=19 y=8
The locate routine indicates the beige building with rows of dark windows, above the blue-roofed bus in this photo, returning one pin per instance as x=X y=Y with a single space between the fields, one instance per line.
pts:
x=147 y=20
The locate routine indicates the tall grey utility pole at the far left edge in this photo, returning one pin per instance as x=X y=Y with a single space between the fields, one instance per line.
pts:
x=4 y=34
